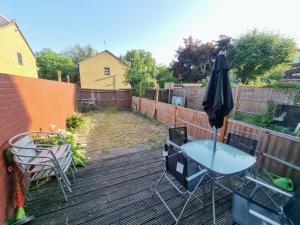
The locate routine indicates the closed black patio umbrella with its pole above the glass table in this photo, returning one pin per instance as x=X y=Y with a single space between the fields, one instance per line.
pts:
x=218 y=100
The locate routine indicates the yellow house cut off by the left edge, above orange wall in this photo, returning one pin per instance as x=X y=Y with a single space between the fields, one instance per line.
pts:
x=16 y=56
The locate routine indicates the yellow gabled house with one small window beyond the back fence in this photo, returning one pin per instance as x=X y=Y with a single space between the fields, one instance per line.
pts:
x=102 y=71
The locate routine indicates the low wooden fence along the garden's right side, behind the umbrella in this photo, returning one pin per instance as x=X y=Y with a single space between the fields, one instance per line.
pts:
x=277 y=152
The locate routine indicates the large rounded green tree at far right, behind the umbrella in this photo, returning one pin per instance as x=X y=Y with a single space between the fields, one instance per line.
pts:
x=255 y=53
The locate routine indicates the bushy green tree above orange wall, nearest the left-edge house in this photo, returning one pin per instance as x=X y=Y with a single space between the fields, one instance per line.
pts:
x=49 y=62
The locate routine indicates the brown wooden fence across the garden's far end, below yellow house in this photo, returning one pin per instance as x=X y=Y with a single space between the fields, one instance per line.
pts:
x=106 y=98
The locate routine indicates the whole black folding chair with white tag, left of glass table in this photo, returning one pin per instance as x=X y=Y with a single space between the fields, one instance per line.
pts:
x=186 y=172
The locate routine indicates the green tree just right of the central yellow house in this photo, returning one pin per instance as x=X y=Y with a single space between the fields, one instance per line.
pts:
x=141 y=70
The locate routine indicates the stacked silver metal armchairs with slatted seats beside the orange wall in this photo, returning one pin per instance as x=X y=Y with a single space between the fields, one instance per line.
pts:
x=37 y=161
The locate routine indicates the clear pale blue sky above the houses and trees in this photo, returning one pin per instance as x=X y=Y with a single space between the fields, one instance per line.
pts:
x=158 y=26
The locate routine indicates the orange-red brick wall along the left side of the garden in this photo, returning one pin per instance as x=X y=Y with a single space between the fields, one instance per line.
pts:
x=29 y=104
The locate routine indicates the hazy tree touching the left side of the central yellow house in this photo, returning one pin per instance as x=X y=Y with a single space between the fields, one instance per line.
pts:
x=78 y=53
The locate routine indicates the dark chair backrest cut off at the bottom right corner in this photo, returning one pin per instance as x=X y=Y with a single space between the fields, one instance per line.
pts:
x=292 y=209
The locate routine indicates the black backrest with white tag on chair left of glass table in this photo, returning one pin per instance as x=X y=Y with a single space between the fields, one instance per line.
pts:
x=180 y=166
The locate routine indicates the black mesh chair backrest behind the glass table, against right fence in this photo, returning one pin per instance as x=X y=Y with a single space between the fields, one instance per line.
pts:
x=242 y=142
